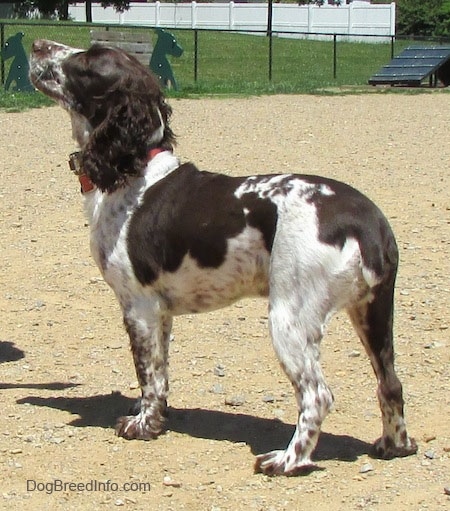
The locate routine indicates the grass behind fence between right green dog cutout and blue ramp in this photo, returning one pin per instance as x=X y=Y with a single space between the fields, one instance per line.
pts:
x=230 y=63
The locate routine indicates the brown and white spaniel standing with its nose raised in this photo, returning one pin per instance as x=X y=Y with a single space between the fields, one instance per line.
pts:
x=171 y=239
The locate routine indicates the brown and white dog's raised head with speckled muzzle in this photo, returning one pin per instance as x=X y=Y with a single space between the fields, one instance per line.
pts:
x=117 y=107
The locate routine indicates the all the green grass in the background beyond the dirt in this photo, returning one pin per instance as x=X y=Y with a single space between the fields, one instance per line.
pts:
x=231 y=63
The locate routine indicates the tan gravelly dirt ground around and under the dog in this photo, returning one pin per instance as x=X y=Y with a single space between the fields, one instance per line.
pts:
x=66 y=372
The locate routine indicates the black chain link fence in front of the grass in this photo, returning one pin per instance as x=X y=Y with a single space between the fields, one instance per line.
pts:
x=220 y=60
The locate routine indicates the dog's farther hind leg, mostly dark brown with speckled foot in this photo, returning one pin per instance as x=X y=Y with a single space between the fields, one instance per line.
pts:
x=373 y=321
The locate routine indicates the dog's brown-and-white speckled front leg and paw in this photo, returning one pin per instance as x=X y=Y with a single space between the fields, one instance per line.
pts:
x=148 y=327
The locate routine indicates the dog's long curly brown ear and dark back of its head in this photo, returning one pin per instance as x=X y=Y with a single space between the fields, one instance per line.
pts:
x=129 y=118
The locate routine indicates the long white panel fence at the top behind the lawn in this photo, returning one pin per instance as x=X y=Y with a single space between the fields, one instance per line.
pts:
x=293 y=20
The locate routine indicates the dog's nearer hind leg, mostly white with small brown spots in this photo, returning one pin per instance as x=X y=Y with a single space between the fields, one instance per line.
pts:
x=296 y=336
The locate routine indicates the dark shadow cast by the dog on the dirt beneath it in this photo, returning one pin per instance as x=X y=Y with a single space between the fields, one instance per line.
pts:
x=260 y=434
